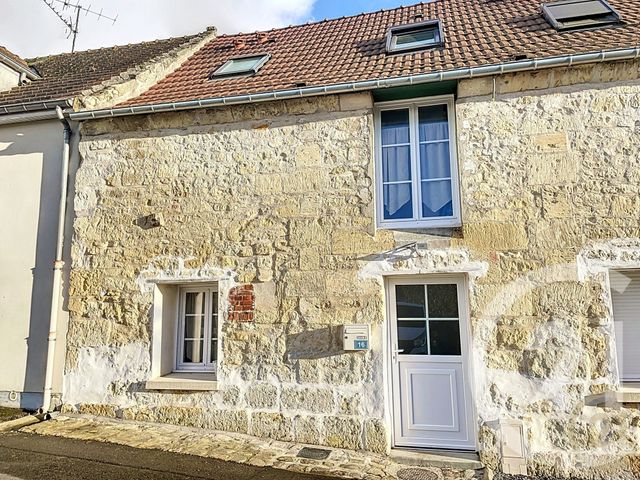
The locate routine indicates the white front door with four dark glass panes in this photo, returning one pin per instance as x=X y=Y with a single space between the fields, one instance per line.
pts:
x=431 y=395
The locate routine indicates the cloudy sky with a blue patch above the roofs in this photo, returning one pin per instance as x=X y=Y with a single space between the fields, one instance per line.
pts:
x=29 y=28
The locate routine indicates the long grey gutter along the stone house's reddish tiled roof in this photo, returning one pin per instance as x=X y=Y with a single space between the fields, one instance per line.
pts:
x=455 y=74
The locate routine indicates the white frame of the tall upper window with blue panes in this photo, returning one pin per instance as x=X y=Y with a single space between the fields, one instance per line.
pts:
x=417 y=221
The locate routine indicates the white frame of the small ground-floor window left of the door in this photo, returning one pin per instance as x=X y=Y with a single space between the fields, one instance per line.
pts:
x=207 y=365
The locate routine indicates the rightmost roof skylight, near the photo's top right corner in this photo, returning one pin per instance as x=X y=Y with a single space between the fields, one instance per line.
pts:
x=574 y=14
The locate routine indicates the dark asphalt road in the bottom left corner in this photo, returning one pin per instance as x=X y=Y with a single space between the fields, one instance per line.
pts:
x=33 y=457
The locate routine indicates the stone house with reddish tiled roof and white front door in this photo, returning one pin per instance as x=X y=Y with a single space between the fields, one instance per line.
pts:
x=414 y=228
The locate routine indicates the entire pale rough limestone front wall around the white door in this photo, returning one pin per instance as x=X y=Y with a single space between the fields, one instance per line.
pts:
x=280 y=196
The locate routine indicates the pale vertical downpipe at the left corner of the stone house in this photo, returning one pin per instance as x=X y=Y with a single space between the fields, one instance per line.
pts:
x=58 y=265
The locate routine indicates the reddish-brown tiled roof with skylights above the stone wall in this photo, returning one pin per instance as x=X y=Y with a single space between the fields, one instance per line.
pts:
x=350 y=49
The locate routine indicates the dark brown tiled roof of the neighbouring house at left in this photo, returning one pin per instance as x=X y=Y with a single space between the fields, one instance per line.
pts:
x=67 y=75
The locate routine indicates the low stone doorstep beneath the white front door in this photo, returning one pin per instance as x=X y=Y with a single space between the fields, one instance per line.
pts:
x=437 y=458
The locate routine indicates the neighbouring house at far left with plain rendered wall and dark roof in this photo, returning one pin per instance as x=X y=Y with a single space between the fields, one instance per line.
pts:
x=33 y=180
